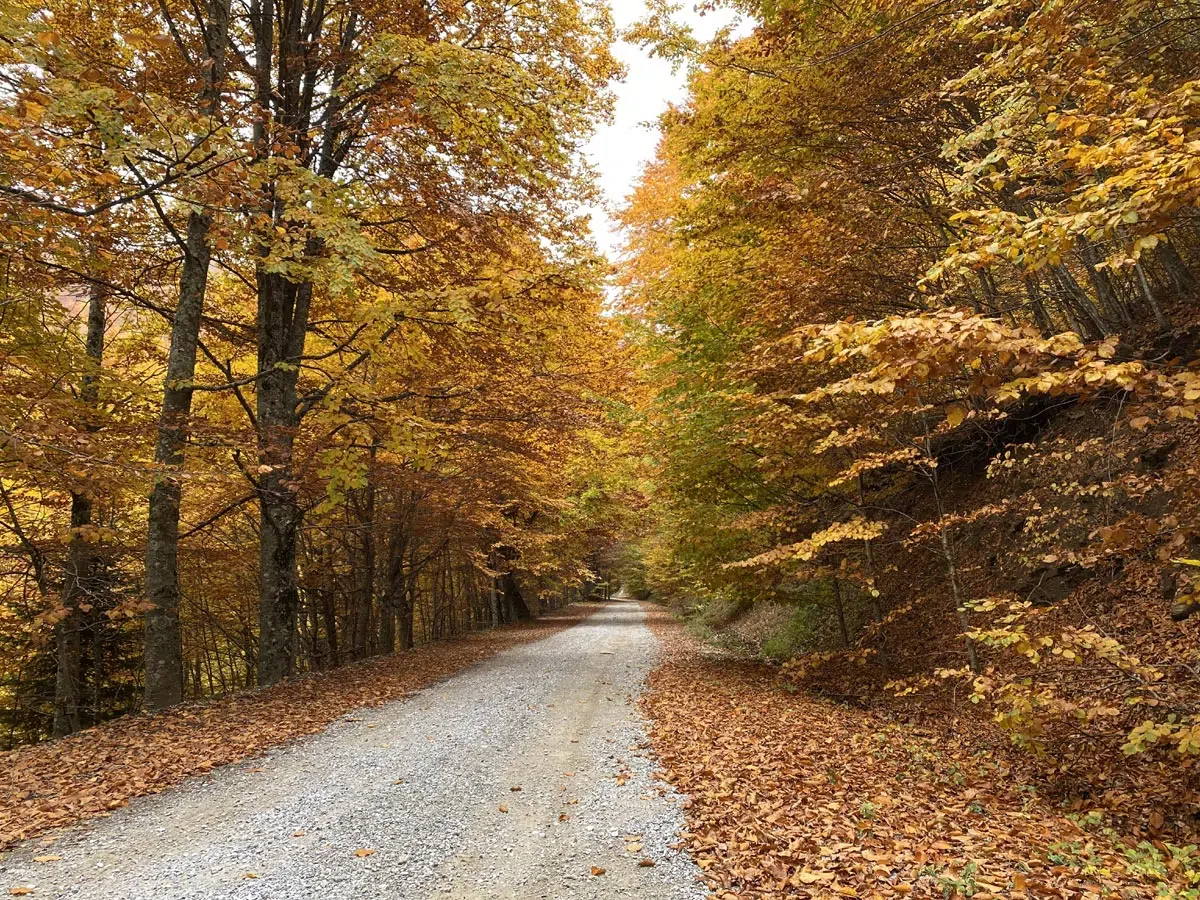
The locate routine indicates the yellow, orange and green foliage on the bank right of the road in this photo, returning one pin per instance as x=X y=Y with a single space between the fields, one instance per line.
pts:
x=914 y=287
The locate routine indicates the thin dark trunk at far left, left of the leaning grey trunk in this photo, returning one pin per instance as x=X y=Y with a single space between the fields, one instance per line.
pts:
x=79 y=581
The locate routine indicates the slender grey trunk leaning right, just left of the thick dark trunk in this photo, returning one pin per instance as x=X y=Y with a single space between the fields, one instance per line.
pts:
x=164 y=638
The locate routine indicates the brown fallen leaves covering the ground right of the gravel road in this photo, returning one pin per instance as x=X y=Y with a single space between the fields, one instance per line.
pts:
x=799 y=797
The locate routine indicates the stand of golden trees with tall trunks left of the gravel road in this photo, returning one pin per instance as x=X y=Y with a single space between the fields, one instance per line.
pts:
x=302 y=357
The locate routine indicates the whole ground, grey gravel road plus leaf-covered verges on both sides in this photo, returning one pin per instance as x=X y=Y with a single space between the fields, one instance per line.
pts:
x=532 y=777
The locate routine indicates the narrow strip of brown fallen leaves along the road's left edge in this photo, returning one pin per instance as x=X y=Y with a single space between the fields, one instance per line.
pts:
x=100 y=770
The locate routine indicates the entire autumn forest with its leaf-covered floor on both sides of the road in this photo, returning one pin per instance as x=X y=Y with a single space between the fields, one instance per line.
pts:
x=891 y=398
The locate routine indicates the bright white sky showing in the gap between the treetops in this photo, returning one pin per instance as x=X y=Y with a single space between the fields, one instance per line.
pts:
x=622 y=149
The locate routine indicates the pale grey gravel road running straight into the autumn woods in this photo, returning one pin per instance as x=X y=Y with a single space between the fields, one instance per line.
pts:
x=518 y=778
